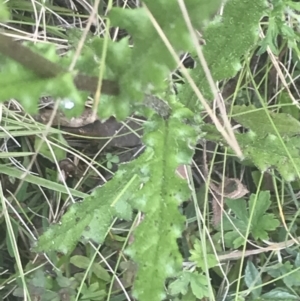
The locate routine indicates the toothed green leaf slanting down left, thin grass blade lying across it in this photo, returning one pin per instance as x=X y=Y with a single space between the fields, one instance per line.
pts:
x=91 y=218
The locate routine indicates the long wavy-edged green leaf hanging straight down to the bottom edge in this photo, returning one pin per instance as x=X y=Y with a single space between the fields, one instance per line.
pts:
x=155 y=247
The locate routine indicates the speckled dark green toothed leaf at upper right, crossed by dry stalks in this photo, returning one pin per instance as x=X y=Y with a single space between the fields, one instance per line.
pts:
x=221 y=45
